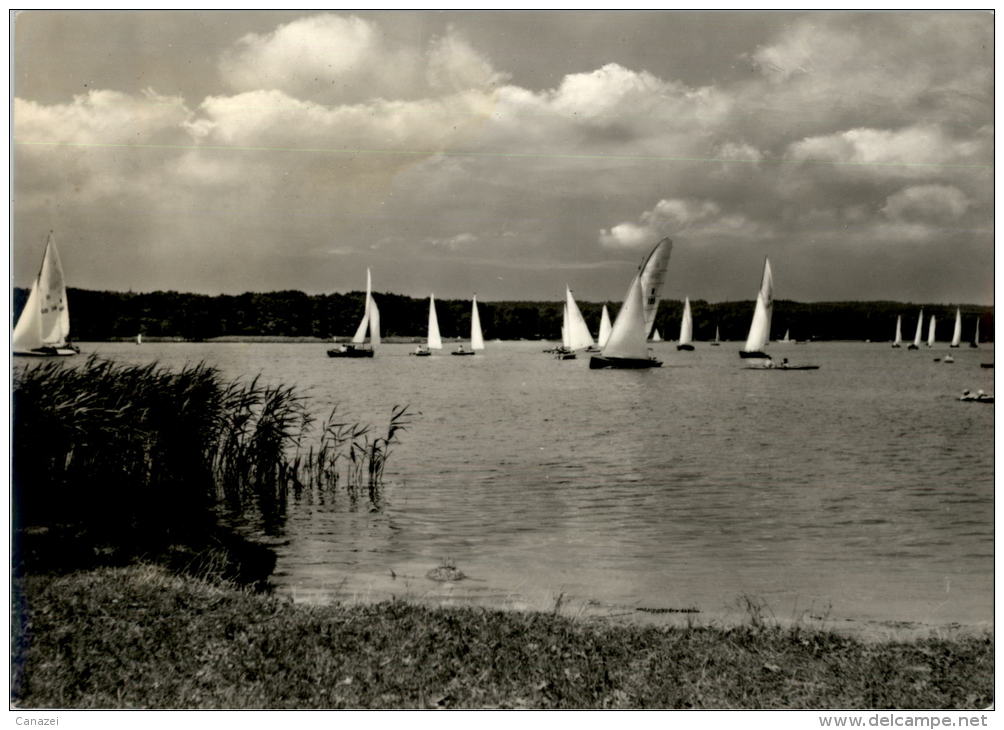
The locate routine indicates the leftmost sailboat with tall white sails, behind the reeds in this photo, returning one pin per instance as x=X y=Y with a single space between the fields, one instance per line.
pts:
x=44 y=327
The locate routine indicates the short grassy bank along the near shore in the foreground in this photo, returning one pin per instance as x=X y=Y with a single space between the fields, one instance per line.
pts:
x=143 y=638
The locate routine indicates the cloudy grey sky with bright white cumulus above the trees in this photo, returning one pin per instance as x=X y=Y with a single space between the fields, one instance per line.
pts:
x=509 y=153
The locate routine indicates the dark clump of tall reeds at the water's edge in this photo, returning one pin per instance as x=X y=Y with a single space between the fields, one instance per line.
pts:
x=130 y=459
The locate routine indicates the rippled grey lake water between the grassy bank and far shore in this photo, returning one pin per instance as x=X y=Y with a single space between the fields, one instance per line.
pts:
x=862 y=492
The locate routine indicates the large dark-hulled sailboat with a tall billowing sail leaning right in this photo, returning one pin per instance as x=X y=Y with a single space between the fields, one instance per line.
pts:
x=628 y=345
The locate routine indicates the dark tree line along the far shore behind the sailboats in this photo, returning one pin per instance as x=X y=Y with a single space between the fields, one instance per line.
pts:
x=99 y=316
